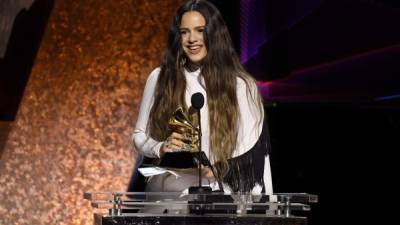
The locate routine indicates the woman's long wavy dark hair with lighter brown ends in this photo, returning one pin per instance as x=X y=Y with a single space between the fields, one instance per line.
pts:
x=220 y=70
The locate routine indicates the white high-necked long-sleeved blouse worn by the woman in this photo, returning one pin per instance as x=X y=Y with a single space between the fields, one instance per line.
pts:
x=249 y=125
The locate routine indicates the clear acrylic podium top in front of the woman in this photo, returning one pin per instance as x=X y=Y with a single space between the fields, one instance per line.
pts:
x=170 y=208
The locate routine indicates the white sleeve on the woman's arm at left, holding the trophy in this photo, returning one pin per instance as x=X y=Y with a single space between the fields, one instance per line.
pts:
x=142 y=141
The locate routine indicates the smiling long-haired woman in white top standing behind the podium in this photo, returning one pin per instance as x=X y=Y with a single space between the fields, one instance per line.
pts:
x=200 y=58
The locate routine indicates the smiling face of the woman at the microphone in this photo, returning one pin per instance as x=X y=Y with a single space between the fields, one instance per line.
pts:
x=191 y=29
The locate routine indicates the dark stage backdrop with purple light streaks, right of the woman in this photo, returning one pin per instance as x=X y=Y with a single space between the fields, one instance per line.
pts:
x=330 y=76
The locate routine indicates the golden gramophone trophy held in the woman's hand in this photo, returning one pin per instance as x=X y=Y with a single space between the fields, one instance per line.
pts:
x=187 y=126
